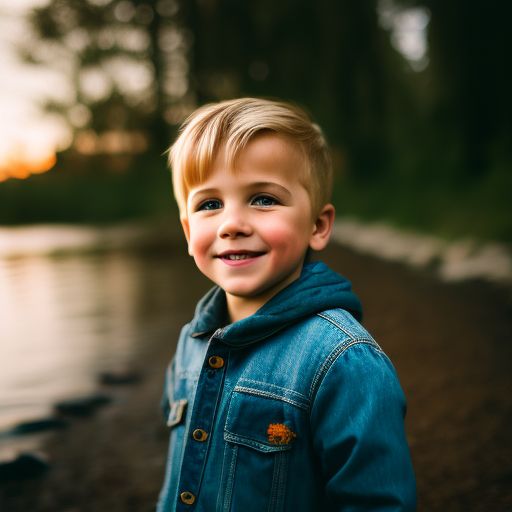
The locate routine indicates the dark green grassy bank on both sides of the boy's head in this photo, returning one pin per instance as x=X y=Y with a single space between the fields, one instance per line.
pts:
x=89 y=191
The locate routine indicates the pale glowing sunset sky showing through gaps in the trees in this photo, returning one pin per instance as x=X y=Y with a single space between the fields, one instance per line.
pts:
x=29 y=136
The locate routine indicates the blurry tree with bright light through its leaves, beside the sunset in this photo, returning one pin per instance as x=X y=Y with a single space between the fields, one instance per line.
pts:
x=124 y=61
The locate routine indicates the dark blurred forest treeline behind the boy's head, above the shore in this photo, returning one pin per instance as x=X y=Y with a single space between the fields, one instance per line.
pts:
x=427 y=147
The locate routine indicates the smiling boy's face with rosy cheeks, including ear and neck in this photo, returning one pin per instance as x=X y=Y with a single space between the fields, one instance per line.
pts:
x=249 y=230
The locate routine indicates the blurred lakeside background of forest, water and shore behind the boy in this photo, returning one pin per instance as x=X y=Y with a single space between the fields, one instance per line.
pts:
x=415 y=99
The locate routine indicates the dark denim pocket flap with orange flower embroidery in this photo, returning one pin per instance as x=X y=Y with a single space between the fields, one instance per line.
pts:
x=263 y=423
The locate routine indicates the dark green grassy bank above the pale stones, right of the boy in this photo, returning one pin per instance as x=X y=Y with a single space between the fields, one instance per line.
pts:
x=449 y=209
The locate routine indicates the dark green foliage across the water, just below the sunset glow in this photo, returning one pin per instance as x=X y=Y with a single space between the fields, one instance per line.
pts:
x=89 y=193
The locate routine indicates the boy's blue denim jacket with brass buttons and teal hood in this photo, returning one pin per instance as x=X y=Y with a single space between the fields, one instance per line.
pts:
x=295 y=408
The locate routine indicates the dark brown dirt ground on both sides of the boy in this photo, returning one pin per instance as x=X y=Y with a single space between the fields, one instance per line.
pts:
x=451 y=344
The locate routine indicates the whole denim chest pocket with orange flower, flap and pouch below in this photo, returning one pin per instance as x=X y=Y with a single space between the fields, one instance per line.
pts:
x=261 y=434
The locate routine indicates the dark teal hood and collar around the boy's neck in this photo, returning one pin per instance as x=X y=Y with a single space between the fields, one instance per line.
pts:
x=317 y=289
